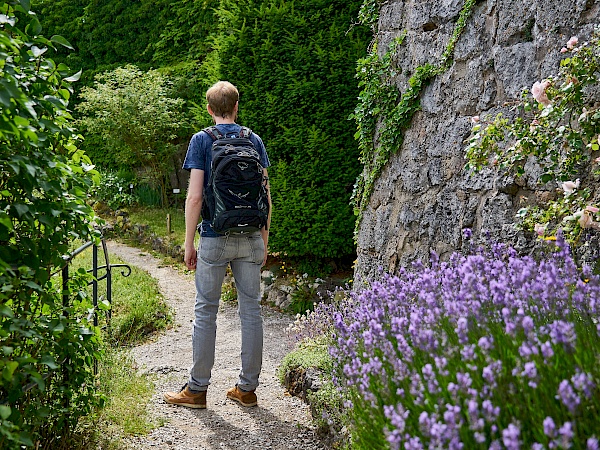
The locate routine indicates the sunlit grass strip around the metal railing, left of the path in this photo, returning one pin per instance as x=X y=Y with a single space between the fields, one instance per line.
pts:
x=138 y=312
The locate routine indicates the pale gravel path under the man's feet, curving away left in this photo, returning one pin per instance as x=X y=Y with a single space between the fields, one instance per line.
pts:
x=279 y=422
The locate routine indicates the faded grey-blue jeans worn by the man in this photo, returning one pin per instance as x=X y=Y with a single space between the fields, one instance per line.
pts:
x=244 y=253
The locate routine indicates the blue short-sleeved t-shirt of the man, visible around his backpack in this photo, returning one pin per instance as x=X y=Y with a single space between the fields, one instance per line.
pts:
x=199 y=156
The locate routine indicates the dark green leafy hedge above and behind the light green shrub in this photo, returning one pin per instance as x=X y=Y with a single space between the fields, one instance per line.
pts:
x=106 y=34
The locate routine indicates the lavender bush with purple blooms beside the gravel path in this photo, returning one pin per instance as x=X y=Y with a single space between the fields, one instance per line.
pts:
x=488 y=349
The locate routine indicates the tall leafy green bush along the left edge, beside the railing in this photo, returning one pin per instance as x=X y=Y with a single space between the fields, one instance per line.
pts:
x=43 y=184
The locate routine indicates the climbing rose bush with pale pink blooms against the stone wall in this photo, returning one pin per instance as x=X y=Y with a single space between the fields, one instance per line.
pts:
x=559 y=129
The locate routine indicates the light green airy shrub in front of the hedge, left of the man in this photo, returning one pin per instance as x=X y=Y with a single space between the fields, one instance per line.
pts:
x=137 y=120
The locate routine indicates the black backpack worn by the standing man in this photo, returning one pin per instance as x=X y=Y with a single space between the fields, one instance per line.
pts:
x=236 y=197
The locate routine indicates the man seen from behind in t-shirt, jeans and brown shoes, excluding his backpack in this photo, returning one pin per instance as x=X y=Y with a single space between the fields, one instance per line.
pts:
x=244 y=253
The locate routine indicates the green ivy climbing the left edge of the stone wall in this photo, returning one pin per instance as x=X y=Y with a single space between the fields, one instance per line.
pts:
x=381 y=103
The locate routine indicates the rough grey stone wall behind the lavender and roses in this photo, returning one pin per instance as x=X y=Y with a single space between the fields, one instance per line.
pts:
x=424 y=198
